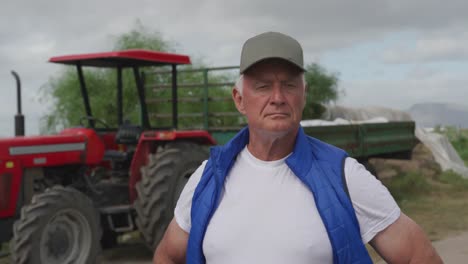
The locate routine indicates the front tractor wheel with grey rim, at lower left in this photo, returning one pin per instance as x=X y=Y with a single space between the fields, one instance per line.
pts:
x=60 y=225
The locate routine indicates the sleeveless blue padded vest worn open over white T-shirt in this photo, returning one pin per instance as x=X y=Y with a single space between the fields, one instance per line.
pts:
x=318 y=165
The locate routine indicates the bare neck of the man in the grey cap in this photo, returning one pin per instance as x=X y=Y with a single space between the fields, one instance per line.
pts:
x=271 y=147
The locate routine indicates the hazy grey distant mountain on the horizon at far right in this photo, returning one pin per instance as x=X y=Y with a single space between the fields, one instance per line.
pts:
x=433 y=114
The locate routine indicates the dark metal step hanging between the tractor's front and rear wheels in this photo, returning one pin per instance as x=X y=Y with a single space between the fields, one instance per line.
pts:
x=119 y=217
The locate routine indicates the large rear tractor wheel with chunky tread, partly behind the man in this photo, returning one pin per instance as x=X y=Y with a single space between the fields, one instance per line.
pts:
x=162 y=181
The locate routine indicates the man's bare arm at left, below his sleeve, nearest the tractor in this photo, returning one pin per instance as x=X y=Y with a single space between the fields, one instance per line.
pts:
x=173 y=247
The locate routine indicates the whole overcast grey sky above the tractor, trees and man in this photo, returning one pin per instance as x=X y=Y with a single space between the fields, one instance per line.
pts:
x=387 y=53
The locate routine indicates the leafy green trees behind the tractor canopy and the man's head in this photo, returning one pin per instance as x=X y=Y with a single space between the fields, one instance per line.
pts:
x=67 y=108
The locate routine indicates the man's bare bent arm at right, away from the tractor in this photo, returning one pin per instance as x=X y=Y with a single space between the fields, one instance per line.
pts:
x=404 y=242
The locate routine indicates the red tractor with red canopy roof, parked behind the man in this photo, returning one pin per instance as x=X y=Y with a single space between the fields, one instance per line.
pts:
x=71 y=193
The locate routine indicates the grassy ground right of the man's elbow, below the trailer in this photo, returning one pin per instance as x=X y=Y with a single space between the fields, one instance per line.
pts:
x=439 y=204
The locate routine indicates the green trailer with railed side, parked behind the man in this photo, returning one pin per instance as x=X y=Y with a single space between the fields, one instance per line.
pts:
x=204 y=102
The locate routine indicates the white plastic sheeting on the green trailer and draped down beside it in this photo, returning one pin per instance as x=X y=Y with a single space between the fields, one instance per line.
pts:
x=444 y=153
